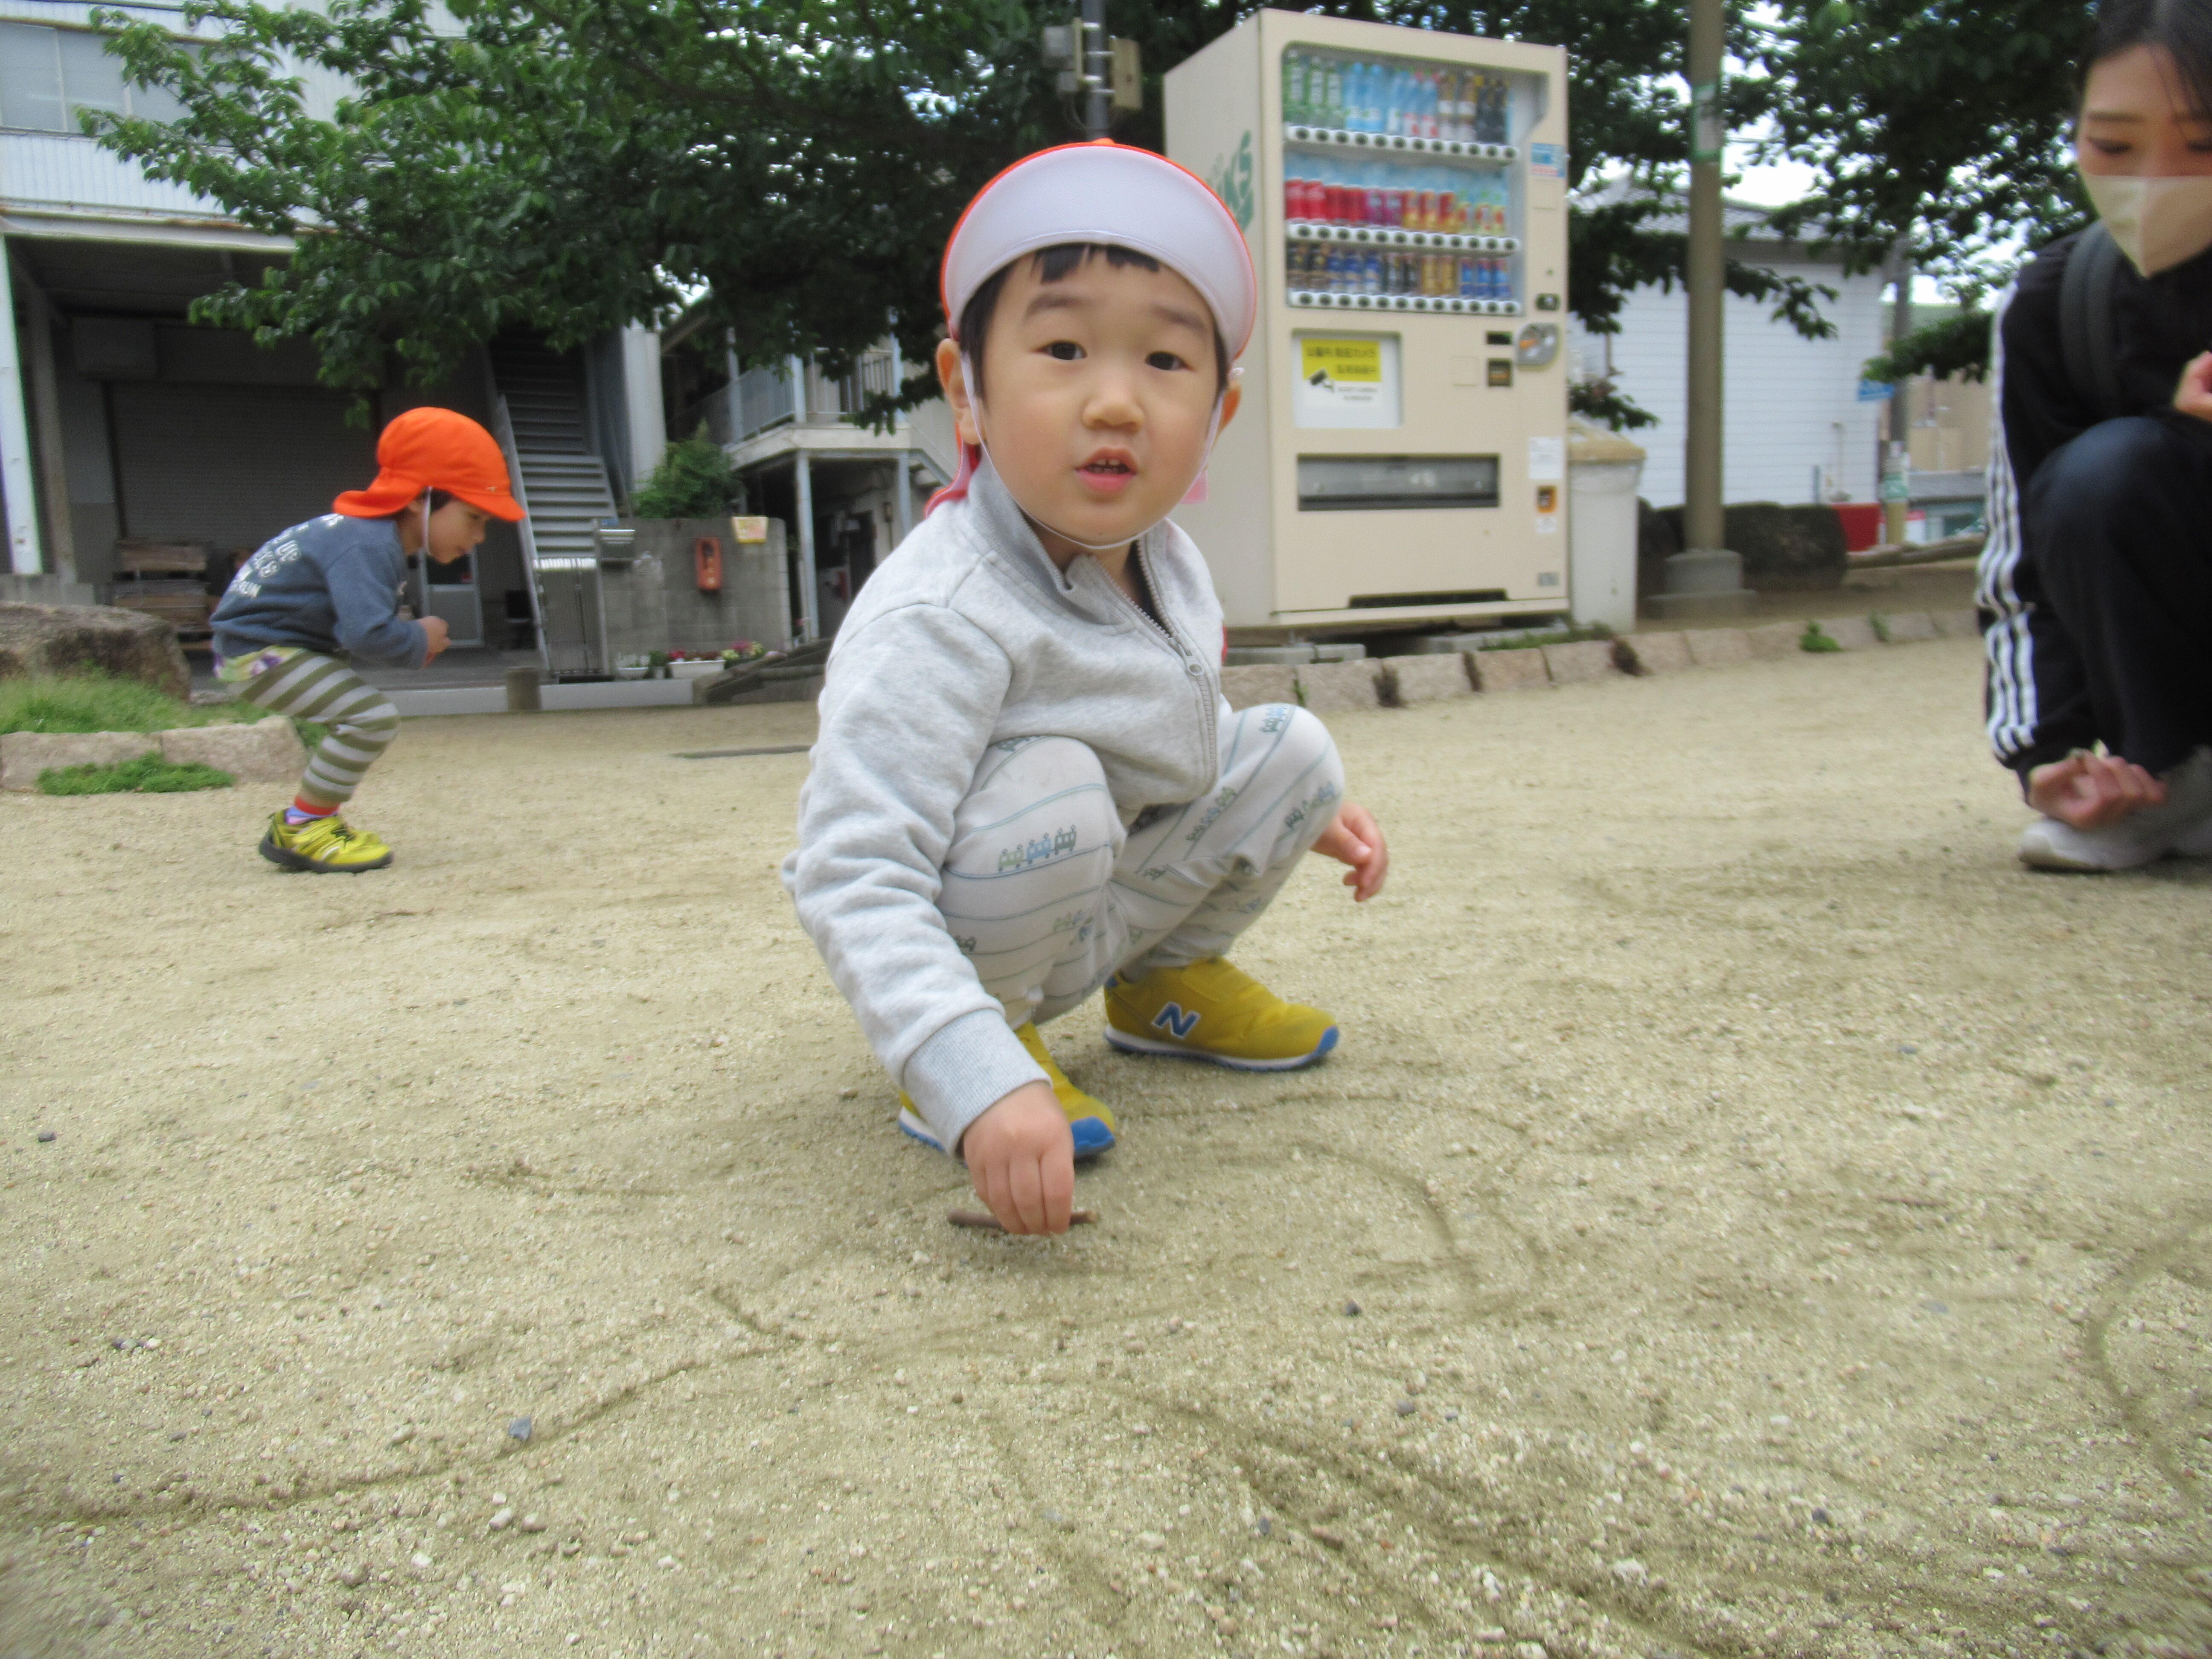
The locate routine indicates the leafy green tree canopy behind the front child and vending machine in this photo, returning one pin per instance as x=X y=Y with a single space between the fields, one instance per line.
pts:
x=576 y=165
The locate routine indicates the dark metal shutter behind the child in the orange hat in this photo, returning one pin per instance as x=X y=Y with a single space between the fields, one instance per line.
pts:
x=233 y=466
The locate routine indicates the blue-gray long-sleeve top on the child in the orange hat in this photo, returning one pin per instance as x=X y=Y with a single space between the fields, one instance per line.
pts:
x=331 y=585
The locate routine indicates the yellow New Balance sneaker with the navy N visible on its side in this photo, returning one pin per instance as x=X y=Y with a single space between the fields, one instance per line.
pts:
x=1215 y=1012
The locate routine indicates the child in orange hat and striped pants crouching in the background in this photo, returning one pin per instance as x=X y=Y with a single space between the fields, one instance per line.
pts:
x=326 y=594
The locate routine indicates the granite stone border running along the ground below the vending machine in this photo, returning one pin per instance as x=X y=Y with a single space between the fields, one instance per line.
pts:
x=1408 y=682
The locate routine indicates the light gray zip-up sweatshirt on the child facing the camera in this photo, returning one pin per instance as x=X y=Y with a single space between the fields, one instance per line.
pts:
x=963 y=638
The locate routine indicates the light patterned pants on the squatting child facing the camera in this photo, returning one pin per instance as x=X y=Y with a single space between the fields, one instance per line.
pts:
x=1050 y=895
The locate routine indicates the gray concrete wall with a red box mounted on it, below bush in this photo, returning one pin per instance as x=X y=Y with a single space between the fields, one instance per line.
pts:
x=656 y=603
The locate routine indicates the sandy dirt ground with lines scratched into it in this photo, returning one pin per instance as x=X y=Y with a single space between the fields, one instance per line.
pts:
x=1749 y=1215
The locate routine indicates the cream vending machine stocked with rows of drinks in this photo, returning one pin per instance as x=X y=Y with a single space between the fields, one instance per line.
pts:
x=1401 y=455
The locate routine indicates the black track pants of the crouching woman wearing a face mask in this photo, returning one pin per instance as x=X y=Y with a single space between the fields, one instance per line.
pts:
x=2120 y=523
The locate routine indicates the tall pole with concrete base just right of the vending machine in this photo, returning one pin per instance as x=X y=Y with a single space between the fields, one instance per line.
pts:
x=1704 y=581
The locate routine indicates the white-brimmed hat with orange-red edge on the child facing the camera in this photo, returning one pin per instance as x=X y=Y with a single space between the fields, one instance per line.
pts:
x=1100 y=194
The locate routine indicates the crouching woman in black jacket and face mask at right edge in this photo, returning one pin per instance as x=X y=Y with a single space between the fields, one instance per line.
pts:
x=2098 y=574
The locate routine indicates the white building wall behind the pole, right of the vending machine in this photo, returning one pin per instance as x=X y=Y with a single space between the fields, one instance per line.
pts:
x=1793 y=424
